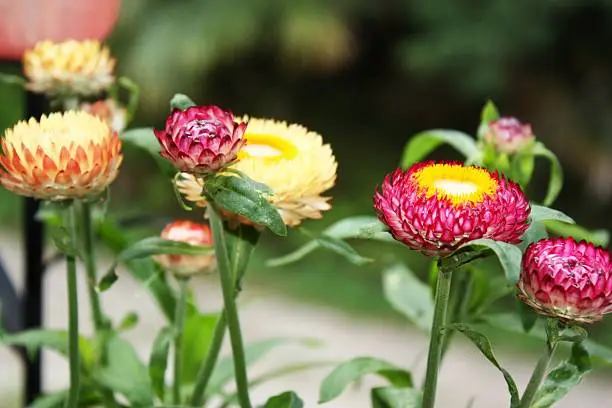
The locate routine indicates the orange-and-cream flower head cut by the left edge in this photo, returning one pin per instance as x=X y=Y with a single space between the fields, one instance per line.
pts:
x=64 y=156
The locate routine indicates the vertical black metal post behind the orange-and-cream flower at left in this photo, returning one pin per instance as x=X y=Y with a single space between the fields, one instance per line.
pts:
x=32 y=303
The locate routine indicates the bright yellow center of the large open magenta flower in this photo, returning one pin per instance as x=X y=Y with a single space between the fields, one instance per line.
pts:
x=457 y=183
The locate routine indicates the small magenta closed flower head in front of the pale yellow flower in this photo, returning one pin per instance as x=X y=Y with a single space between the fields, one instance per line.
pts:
x=201 y=139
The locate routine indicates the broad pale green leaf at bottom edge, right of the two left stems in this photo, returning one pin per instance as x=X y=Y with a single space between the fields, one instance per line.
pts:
x=125 y=374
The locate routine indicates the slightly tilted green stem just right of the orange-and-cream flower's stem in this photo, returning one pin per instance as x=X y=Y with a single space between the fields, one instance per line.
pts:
x=90 y=266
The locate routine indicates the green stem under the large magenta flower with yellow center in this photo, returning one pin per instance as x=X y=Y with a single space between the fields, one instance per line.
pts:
x=434 y=356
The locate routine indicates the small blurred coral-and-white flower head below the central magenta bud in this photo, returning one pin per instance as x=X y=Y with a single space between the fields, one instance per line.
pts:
x=191 y=233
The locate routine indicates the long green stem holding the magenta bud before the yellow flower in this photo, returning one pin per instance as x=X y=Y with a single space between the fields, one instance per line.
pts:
x=231 y=311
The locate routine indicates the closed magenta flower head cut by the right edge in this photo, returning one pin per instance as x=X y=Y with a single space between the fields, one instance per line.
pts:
x=569 y=280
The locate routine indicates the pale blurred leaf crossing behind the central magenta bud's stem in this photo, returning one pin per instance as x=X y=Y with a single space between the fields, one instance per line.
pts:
x=224 y=370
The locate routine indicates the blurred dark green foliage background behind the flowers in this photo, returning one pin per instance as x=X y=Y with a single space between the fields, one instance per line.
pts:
x=367 y=75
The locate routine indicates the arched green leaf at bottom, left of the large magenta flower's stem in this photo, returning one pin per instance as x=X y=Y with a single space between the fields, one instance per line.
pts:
x=342 y=376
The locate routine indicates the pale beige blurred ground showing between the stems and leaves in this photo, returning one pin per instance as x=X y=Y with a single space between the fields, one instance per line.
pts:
x=465 y=373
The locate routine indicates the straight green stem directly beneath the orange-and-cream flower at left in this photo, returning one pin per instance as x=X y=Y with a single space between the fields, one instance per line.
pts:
x=73 y=316
